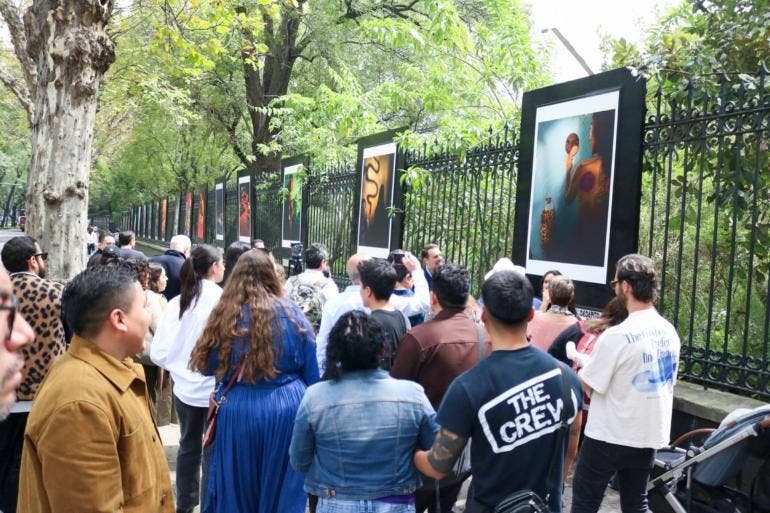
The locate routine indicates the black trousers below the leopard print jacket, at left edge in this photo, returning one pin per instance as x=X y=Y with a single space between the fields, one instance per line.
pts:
x=11 y=443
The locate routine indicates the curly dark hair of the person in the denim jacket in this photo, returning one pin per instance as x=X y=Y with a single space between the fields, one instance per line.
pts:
x=355 y=343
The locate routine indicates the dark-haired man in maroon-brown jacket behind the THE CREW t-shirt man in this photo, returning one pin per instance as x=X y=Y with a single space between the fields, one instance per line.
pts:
x=435 y=353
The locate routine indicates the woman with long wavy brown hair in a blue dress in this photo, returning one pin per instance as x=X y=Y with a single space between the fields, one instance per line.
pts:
x=264 y=338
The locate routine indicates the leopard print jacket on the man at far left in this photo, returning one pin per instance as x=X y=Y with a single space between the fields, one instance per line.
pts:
x=40 y=304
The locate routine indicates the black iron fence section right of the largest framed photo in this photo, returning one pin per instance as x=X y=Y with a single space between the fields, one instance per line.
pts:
x=706 y=223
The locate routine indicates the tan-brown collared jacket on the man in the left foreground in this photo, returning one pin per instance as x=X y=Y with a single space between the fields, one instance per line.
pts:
x=91 y=444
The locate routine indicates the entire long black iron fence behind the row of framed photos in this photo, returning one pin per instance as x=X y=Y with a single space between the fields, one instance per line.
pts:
x=705 y=218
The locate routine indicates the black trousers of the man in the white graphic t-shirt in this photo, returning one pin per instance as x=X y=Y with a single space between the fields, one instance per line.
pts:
x=597 y=462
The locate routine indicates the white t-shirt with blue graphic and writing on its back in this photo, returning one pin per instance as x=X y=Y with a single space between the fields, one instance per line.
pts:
x=632 y=372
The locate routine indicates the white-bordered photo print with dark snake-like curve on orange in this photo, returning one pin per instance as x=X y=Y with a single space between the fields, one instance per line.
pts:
x=377 y=190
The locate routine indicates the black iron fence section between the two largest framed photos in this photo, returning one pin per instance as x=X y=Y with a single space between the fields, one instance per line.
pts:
x=463 y=203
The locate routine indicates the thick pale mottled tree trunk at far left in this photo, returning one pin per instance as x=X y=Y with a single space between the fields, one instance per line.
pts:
x=72 y=49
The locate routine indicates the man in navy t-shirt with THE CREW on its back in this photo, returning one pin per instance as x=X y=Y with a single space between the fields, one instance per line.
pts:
x=510 y=406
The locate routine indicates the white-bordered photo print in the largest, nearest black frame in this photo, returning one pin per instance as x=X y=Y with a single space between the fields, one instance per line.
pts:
x=572 y=182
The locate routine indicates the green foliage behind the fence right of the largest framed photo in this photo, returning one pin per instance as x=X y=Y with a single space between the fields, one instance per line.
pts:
x=705 y=204
